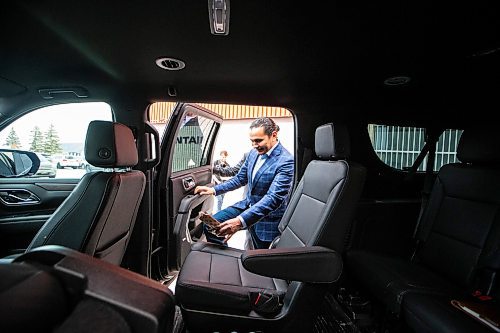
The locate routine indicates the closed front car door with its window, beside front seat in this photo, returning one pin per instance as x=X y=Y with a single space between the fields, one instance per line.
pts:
x=27 y=201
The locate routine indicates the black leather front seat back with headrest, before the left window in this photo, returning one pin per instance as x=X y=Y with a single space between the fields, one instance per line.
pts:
x=98 y=216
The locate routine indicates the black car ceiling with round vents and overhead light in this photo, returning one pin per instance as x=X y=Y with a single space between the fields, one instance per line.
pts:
x=277 y=53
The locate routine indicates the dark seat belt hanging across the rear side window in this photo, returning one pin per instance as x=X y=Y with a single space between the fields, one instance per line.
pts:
x=429 y=149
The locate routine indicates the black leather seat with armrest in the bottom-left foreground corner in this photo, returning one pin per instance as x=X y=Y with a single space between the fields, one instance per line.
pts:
x=55 y=289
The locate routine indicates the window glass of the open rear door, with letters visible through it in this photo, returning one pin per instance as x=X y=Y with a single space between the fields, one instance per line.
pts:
x=192 y=143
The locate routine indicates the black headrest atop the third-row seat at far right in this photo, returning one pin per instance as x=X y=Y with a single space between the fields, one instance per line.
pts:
x=479 y=146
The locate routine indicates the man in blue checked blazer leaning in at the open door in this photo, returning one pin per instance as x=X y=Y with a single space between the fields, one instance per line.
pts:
x=268 y=170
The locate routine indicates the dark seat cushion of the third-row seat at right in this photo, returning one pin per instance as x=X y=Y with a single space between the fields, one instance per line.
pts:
x=391 y=279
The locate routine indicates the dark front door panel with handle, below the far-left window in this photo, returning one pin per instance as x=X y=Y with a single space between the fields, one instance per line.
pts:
x=25 y=205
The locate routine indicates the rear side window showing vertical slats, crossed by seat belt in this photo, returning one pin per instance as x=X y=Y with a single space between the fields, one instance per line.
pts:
x=399 y=146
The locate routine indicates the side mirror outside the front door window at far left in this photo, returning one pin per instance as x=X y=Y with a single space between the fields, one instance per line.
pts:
x=18 y=163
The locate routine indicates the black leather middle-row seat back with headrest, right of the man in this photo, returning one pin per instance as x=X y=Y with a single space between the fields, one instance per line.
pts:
x=321 y=207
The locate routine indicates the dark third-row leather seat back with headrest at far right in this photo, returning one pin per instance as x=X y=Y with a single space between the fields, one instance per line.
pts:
x=461 y=220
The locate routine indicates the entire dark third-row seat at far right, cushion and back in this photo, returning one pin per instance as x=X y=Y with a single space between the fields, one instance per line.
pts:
x=458 y=252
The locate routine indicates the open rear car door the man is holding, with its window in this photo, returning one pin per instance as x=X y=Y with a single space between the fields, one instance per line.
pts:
x=186 y=149
